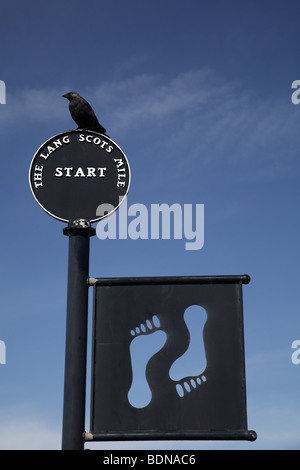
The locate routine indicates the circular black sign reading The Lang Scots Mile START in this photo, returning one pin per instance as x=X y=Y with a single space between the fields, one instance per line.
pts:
x=75 y=172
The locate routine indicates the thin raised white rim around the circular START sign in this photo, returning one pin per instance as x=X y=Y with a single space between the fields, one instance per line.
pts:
x=97 y=219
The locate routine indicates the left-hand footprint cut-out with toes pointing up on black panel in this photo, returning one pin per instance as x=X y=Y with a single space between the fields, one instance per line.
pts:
x=147 y=341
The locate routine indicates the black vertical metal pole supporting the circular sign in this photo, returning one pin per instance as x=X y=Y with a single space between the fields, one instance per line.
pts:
x=79 y=233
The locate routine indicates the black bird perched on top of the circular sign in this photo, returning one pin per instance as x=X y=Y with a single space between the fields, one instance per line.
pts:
x=82 y=113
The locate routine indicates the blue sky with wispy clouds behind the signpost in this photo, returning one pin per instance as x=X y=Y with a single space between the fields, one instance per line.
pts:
x=198 y=96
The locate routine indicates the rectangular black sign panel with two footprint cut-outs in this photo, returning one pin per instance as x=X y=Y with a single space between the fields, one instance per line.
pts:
x=168 y=359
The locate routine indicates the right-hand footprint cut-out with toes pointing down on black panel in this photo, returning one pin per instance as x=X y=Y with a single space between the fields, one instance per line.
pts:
x=188 y=369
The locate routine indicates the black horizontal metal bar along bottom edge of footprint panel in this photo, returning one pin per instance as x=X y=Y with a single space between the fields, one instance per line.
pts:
x=238 y=435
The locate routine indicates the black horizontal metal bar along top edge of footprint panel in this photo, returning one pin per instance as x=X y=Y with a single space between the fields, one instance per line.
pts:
x=244 y=279
